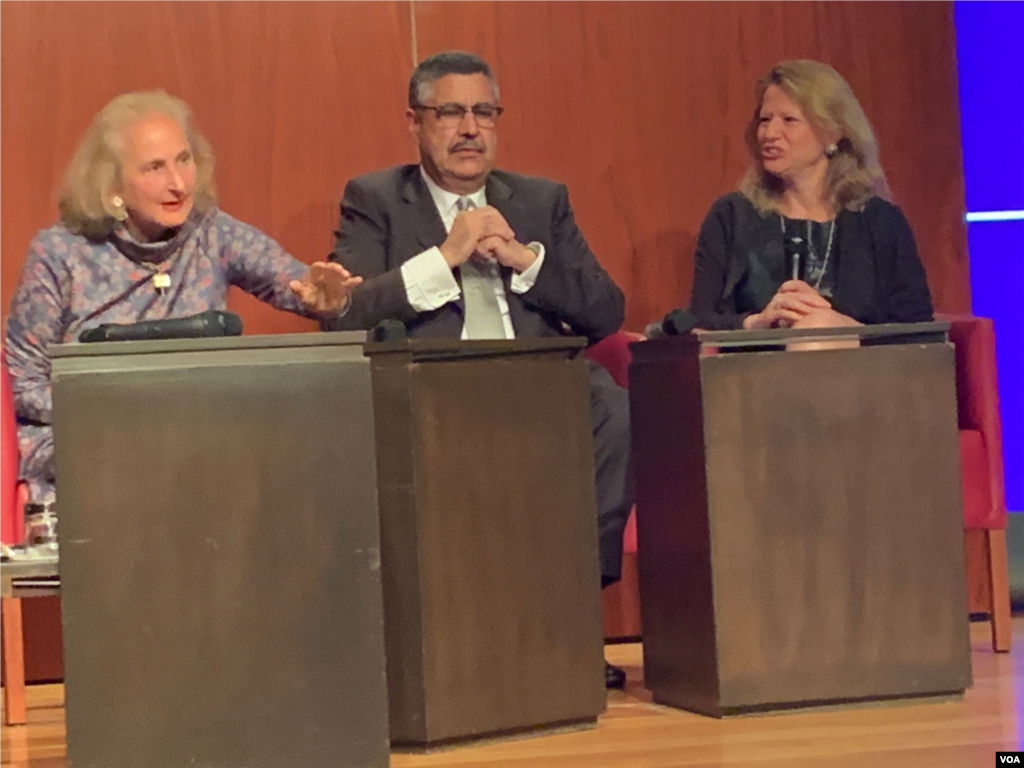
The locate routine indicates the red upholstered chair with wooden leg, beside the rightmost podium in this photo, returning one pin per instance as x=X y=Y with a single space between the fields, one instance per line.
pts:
x=982 y=473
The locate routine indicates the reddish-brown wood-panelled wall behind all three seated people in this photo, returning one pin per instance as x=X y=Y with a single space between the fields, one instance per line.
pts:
x=639 y=107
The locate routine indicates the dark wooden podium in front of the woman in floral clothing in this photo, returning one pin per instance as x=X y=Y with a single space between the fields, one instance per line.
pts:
x=220 y=553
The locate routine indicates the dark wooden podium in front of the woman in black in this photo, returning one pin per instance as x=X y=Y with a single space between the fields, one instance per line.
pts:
x=799 y=519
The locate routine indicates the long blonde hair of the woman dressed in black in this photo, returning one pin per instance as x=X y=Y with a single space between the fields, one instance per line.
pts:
x=855 y=175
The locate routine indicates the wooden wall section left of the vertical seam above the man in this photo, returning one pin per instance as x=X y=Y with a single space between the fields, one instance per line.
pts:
x=294 y=96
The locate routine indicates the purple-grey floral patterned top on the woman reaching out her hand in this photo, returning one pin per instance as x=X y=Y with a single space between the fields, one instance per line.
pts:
x=71 y=284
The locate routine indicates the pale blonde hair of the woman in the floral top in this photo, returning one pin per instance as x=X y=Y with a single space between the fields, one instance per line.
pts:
x=94 y=176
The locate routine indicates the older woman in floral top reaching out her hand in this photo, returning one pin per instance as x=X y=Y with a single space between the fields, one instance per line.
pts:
x=140 y=239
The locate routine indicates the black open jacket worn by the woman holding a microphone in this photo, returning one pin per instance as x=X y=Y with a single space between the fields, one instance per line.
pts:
x=740 y=265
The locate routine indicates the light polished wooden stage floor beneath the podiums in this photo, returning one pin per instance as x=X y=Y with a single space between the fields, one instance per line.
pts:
x=635 y=734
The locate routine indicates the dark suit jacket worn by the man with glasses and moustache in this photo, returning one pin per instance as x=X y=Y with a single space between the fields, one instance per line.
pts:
x=390 y=217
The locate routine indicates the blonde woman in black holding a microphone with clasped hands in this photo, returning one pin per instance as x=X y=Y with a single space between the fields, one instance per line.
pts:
x=809 y=238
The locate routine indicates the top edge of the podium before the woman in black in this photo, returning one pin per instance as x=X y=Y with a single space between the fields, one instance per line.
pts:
x=905 y=333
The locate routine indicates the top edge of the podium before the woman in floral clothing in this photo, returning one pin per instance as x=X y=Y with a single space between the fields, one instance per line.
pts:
x=217 y=345
